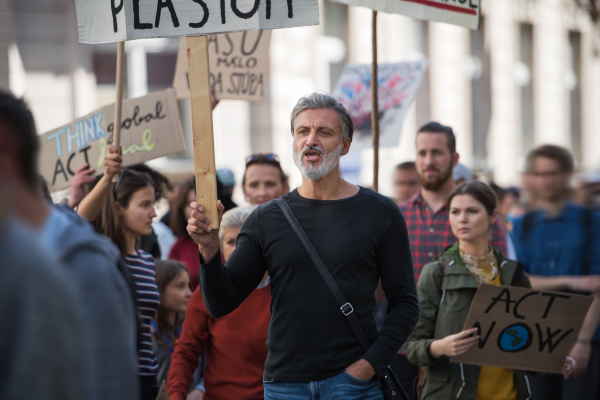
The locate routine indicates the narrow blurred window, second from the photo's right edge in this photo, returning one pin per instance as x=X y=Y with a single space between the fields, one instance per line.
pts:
x=524 y=80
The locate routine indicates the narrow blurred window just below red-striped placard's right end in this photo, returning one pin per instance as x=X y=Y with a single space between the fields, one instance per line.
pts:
x=479 y=69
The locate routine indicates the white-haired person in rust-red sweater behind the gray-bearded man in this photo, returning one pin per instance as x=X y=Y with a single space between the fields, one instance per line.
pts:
x=236 y=343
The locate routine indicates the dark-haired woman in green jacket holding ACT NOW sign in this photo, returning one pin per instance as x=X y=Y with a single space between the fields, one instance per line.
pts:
x=446 y=290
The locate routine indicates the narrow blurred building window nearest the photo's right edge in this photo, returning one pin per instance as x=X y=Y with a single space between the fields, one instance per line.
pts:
x=573 y=83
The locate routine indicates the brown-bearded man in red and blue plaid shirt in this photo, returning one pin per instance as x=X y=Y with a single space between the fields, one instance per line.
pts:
x=426 y=213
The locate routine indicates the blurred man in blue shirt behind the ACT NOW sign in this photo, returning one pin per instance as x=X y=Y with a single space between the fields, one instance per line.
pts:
x=559 y=245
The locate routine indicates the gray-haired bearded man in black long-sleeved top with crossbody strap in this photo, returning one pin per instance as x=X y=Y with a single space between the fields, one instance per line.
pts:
x=360 y=236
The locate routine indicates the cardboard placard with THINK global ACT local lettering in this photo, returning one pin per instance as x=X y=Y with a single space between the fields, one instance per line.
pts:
x=151 y=128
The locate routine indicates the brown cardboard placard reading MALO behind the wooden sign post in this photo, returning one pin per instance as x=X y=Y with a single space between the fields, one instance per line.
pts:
x=239 y=63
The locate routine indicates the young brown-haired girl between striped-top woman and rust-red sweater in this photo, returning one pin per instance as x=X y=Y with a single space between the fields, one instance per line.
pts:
x=173 y=284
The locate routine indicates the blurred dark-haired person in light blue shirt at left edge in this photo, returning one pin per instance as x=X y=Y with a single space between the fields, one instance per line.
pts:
x=90 y=261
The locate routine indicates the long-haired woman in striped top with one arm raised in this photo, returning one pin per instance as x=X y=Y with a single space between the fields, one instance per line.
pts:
x=123 y=212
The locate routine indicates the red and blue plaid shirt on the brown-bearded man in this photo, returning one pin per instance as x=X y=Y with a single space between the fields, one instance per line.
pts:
x=430 y=233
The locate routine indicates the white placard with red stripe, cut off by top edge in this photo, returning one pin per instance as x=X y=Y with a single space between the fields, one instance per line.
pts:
x=463 y=12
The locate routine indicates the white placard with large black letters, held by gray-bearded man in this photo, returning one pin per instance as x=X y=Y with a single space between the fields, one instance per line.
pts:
x=119 y=20
